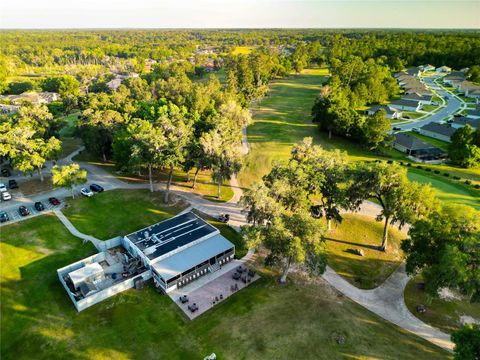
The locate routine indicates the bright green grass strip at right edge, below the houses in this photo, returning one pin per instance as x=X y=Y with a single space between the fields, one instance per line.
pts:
x=446 y=190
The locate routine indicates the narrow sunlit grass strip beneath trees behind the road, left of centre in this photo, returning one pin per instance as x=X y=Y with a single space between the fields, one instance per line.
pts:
x=205 y=184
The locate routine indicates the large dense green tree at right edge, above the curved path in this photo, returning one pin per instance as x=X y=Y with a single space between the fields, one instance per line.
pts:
x=445 y=247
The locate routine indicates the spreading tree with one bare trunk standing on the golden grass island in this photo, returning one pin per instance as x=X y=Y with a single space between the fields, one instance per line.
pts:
x=402 y=201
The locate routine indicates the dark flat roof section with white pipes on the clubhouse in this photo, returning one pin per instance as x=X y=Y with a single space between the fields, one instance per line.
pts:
x=168 y=235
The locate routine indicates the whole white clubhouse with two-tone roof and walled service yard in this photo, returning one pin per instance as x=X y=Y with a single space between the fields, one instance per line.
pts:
x=174 y=252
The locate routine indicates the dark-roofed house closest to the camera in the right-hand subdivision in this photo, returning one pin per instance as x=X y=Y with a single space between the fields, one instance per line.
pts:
x=417 y=148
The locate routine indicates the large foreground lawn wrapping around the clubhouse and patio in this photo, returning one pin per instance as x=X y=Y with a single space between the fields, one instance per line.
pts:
x=265 y=321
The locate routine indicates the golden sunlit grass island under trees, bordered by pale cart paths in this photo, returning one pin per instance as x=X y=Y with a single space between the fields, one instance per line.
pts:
x=363 y=232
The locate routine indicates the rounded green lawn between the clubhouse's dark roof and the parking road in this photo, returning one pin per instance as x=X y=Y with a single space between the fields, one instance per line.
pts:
x=119 y=212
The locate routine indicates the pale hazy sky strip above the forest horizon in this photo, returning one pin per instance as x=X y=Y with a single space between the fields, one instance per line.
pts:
x=239 y=13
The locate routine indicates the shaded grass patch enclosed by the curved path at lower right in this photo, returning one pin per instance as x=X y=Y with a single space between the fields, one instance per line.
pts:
x=441 y=313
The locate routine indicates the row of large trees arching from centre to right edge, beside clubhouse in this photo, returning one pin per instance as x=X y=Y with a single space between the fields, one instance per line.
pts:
x=284 y=210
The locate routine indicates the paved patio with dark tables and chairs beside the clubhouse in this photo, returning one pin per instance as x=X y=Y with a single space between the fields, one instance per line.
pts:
x=212 y=289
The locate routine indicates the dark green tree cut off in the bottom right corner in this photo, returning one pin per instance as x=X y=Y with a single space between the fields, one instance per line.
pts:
x=467 y=342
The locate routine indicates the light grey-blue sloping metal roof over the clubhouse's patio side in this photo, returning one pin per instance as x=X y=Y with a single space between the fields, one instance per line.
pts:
x=191 y=256
